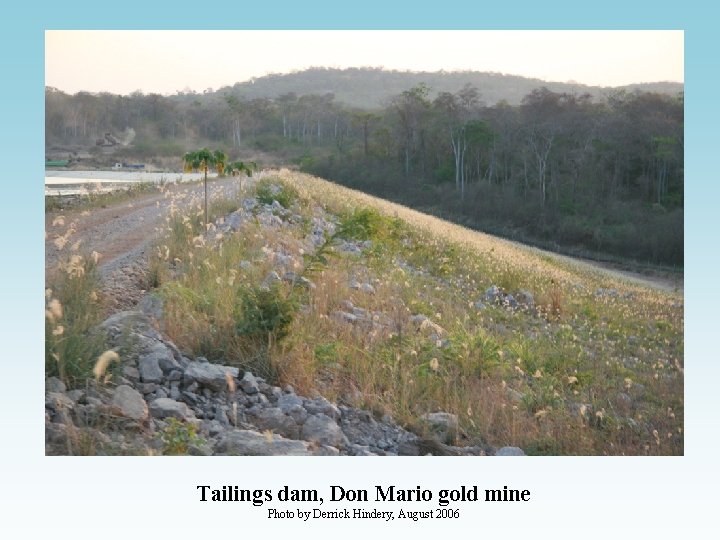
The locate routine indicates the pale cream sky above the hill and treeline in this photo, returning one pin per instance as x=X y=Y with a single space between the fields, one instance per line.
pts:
x=167 y=61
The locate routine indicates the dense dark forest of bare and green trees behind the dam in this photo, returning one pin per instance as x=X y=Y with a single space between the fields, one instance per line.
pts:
x=569 y=170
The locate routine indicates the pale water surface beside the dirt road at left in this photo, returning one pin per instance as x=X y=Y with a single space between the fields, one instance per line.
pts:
x=61 y=183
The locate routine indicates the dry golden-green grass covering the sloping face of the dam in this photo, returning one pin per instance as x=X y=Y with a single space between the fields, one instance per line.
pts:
x=577 y=373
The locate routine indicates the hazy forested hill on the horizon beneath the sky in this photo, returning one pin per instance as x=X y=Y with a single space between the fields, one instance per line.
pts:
x=373 y=87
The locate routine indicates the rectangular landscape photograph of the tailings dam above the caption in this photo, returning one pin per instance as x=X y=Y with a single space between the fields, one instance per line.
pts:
x=364 y=243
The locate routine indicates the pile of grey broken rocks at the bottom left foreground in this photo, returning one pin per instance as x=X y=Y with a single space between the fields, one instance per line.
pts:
x=161 y=401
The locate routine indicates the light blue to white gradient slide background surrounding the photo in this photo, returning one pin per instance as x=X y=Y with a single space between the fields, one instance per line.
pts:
x=114 y=497
